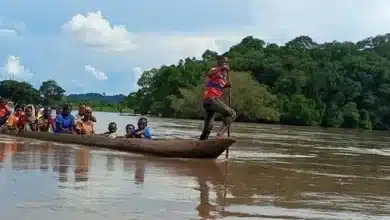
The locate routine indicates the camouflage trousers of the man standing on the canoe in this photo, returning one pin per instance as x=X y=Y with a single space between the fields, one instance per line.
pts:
x=212 y=106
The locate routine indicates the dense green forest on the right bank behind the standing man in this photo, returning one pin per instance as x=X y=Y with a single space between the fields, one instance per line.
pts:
x=334 y=84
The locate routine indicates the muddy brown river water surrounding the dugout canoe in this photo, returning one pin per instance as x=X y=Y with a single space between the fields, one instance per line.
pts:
x=273 y=172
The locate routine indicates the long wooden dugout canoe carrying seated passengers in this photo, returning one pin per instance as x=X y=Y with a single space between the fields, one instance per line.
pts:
x=196 y=149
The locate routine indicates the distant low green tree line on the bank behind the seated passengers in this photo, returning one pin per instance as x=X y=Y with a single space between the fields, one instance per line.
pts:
x=52 y=94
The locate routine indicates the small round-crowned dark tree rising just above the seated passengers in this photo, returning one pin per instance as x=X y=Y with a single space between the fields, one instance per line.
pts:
x=51 y=92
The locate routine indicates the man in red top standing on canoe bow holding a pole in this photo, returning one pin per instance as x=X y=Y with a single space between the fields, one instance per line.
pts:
x=216 y=82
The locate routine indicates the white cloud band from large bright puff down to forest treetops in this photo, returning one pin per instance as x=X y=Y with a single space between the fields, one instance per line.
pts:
x=94 y=30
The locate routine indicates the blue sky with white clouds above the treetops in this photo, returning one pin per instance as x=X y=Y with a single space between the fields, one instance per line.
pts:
x=103 y=46
